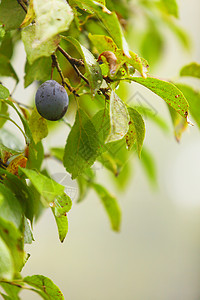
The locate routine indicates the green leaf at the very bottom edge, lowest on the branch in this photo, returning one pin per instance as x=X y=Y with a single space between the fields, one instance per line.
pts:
x=45 y=287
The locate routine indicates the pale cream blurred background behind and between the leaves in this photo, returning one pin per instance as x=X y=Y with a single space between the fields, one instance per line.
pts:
x=156 y=256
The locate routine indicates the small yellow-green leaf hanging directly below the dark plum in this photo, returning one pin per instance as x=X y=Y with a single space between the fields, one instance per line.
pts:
x=38 y=126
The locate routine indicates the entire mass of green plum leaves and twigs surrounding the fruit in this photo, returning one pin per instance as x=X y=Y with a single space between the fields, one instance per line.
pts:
x=92 y=58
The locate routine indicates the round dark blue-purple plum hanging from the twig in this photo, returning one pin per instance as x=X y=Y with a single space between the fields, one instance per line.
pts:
x=51 y=100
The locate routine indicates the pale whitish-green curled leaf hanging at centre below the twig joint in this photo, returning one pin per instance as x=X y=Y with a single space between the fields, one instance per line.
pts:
x=119 y=118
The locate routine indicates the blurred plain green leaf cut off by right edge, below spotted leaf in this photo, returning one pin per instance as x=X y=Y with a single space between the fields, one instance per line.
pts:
x=193 y=98
